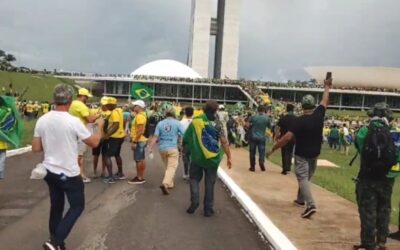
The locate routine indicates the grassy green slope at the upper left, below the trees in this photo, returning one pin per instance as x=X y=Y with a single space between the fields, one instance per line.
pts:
x=40 y=87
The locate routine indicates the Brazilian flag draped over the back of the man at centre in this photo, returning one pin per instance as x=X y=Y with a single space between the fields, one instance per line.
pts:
x=203 y=142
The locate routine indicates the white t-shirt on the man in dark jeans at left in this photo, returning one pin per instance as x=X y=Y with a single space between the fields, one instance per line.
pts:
x=59 y=133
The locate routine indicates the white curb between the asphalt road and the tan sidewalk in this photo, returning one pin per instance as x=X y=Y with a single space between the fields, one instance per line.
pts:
x=275 y=237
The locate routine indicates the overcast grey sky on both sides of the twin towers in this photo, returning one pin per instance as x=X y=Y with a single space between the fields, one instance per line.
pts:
x=278 y=38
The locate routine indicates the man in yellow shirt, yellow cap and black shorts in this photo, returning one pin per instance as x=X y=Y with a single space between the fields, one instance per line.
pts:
x=113 y=138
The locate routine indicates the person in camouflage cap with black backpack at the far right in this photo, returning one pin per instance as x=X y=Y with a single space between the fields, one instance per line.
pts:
x=373 y=193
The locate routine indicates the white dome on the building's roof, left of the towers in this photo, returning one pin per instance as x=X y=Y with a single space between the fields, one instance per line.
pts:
x=169 y=68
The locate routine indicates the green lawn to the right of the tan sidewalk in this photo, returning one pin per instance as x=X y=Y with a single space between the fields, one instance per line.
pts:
x=338 y=180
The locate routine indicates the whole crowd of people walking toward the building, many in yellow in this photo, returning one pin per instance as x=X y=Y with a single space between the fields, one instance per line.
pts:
x=199 y=137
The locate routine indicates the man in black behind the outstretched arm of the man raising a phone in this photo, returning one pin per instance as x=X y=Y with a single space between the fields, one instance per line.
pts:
x=283 y=125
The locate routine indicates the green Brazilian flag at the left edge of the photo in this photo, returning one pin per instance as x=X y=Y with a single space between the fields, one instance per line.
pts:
x=11 y=126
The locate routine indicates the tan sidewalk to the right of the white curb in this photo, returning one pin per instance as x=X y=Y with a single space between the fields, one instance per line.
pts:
x=335 y=226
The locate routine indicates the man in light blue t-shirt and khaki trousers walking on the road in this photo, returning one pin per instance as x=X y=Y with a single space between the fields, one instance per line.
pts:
x=167 y=133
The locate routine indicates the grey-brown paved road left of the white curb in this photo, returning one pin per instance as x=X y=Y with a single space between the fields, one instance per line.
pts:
x=121 y=216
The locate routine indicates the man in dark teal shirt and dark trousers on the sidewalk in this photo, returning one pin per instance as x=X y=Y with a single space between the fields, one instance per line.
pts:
x=258 y=125
